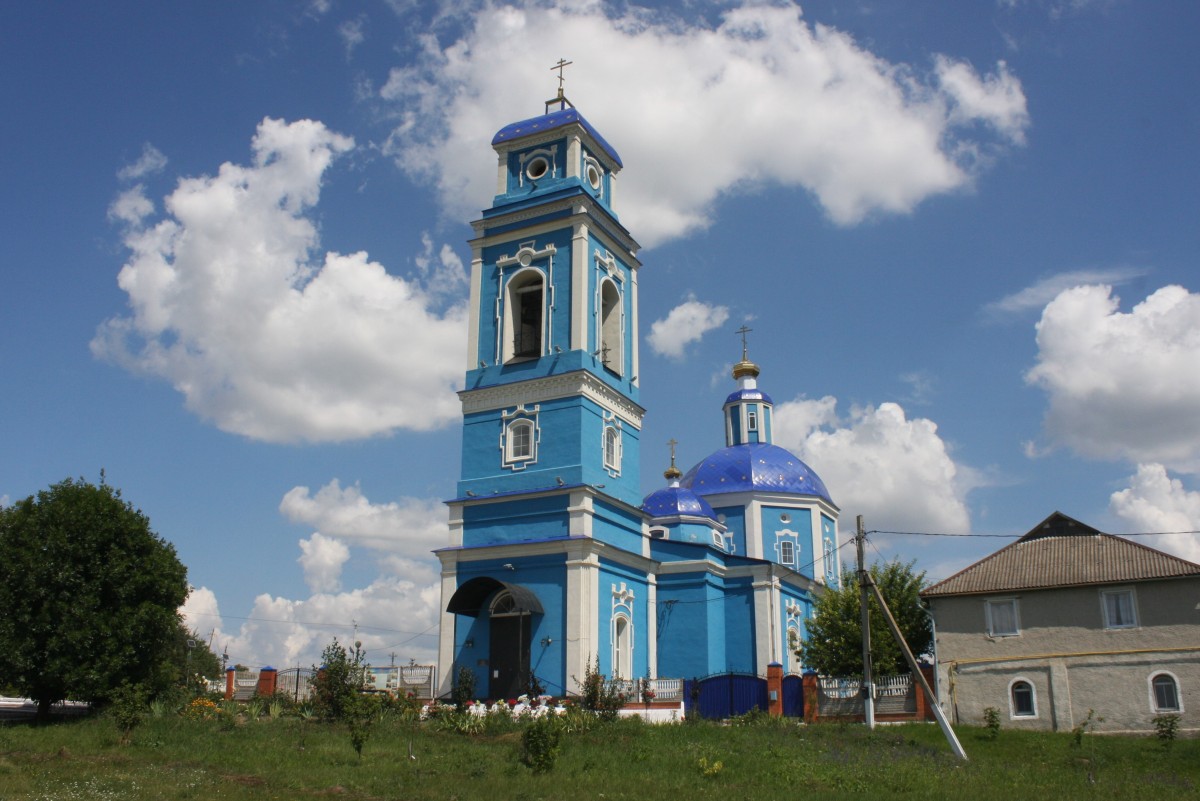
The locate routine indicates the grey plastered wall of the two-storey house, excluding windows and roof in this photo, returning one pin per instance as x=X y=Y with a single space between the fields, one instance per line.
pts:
x=1071 y=660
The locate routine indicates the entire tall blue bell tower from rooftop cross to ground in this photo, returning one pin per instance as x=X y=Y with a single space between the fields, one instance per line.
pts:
x=547 y=568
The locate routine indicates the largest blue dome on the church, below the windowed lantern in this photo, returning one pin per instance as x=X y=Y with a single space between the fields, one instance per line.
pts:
x=754 y=467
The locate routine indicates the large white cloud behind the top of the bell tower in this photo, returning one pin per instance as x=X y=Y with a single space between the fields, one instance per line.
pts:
x=759 y=98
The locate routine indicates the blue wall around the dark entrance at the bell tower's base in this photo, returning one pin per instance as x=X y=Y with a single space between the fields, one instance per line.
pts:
x=545 y=576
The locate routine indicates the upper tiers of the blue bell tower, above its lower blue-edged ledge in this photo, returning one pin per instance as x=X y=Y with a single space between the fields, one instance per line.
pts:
x=551 y=392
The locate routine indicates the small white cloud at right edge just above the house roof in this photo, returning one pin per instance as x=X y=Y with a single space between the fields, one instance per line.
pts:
x=1155 y=502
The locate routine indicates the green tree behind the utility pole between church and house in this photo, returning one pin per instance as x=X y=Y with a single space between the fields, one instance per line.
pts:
x=835 y=642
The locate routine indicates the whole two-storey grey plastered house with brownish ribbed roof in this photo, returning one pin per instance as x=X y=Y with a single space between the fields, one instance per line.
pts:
x=1067 y=621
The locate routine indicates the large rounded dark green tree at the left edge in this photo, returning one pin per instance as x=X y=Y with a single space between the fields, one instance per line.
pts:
x=89 y=593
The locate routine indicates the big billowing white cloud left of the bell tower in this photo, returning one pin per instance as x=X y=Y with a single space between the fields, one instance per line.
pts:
x=230 y=305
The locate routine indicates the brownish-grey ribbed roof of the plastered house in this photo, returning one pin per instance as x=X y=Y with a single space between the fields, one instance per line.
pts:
x=1063 y=552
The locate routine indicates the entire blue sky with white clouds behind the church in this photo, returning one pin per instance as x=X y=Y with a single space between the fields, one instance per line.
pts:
x=965 y=237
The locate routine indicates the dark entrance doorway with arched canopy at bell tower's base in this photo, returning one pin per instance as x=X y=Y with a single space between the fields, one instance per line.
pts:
x=509 y=610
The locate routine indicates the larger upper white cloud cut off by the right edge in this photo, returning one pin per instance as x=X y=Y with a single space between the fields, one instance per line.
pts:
x=1123 y=384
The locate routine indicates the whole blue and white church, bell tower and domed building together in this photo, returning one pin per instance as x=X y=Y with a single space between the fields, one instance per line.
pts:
x=556 y=561
